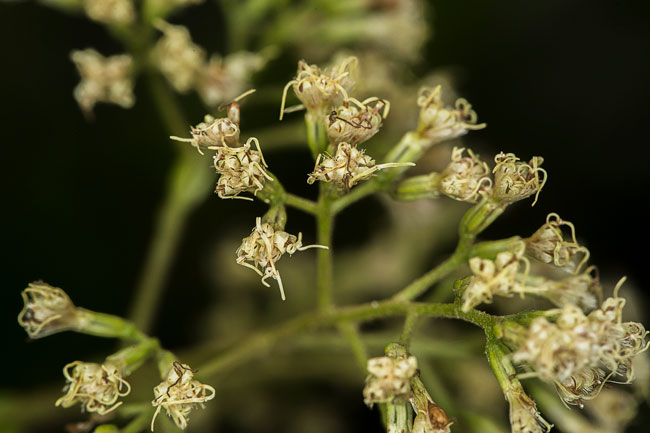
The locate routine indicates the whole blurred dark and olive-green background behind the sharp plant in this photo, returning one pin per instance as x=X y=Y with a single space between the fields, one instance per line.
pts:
x=567 y=80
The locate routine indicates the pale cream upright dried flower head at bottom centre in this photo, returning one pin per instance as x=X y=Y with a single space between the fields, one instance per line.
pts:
x=388 y=379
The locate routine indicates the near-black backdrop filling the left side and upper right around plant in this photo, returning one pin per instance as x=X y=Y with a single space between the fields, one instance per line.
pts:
x=564 y=79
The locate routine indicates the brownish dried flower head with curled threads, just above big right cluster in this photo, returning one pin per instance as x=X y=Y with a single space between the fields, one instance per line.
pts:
x=549 y=245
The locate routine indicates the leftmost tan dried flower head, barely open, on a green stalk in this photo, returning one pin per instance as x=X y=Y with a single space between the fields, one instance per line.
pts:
x=47 y=310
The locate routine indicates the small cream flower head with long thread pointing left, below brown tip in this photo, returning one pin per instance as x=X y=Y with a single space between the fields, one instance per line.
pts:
x=212 y=132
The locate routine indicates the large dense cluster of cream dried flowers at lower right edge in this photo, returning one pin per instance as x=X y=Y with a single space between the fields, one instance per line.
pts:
x=579 y=352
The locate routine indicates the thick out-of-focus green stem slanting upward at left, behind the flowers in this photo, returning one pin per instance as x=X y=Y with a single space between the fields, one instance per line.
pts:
x=189 y=184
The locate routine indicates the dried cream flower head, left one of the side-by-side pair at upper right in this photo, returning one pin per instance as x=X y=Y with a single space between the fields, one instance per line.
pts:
x=466 y=178
